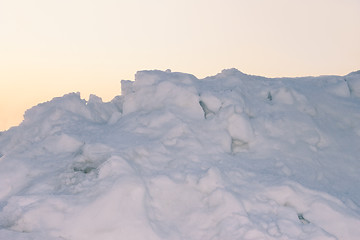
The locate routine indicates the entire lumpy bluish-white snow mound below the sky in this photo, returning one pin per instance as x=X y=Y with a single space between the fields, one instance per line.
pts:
x=231 y=156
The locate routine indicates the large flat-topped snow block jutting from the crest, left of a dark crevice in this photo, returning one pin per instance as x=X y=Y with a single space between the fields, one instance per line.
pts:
x=157 y=90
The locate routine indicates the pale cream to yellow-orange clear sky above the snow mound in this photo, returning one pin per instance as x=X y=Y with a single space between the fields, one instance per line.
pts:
x=52 y=47
